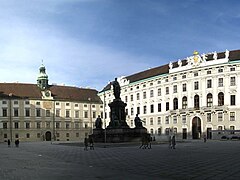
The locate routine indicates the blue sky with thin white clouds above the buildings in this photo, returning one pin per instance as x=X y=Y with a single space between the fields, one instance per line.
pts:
x=87 y=43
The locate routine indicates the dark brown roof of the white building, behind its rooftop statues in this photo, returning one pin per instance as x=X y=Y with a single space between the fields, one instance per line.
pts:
x=164 y=69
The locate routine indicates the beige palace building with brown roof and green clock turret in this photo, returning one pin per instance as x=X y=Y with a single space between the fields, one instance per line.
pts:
x=43 y=112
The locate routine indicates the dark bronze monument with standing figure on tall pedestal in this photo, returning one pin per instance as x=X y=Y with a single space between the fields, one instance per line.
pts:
x=118 y=129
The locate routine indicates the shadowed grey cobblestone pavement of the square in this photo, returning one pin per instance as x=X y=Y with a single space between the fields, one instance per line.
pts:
x=190 y=160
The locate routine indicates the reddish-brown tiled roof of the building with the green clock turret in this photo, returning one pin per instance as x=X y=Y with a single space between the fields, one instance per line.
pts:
x=32 y=91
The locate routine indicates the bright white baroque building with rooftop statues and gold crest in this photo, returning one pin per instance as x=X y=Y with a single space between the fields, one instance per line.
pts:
x=189 y=98
